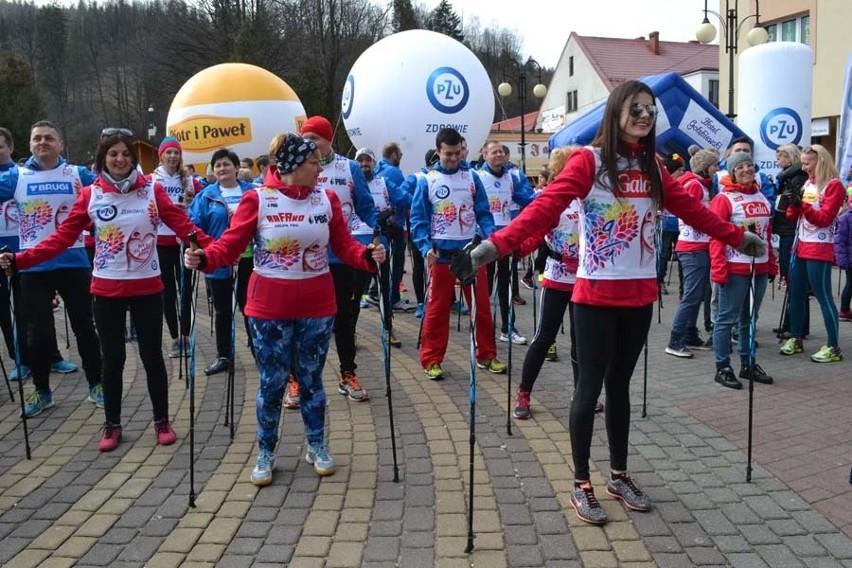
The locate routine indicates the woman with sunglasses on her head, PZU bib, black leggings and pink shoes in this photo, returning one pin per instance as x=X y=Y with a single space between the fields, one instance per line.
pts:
x=125 y=209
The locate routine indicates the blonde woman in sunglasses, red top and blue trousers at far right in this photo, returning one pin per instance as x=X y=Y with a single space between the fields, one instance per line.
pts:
x=816 y=215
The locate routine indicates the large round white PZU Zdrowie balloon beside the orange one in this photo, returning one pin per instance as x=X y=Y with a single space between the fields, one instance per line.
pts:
x=408 y=86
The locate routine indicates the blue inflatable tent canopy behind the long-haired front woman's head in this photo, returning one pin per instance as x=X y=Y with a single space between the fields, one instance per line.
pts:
x=685 y=117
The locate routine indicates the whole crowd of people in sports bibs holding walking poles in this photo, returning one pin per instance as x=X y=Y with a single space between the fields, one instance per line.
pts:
x=315 y=228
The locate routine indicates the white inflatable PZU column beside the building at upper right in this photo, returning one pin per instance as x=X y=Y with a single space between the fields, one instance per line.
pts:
x=773 y=116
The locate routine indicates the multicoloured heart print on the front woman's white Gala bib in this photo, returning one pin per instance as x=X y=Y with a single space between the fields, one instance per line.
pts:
x=611 y=228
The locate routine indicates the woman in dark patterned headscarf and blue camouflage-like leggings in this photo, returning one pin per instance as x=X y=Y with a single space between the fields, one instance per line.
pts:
x=291 y=306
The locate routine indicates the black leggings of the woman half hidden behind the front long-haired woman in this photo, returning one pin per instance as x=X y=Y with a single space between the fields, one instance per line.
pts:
x=551 y=314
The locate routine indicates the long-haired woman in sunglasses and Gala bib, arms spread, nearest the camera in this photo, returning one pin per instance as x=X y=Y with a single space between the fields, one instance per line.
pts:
x=622 y=184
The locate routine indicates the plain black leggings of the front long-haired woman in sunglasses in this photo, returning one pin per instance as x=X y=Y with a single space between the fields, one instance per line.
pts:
x=609 y=341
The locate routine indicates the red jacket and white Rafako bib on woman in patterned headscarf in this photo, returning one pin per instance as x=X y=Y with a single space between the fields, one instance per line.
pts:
x=296 y=231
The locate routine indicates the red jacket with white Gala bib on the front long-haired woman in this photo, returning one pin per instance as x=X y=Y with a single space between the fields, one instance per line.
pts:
x=617 y=250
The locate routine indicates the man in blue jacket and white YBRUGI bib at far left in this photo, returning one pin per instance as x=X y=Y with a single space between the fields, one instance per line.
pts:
x=45 y=188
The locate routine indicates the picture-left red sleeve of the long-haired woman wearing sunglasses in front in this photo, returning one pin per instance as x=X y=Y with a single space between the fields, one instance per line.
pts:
x=573 y=182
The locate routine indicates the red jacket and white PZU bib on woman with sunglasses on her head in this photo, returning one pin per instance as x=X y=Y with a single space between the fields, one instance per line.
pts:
x=118 y=279
